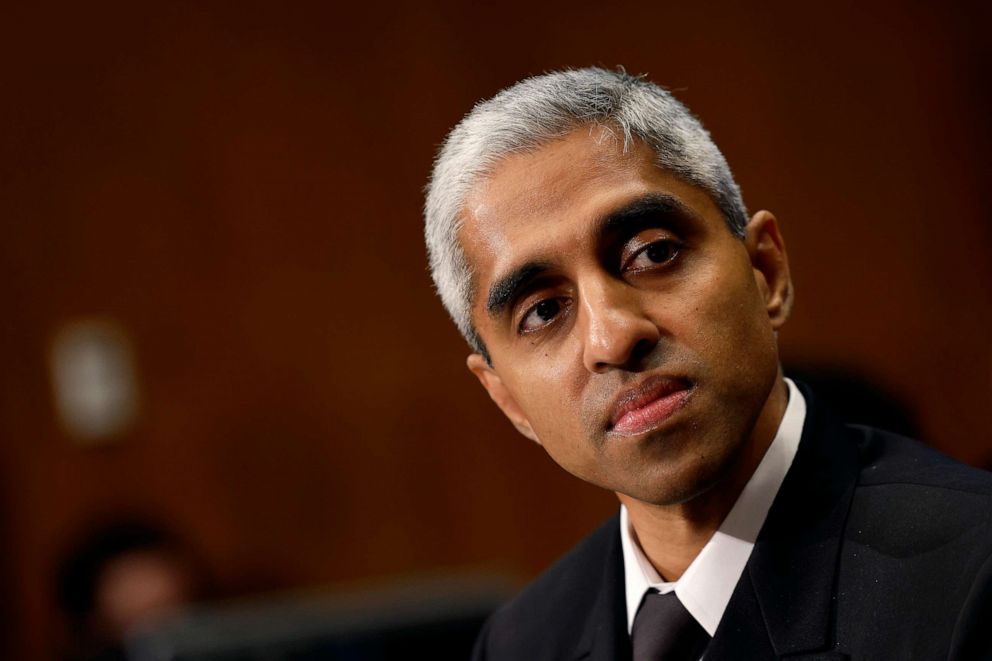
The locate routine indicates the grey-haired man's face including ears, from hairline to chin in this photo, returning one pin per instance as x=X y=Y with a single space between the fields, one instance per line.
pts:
x=631 y=334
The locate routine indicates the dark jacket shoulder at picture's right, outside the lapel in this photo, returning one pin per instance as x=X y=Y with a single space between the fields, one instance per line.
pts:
x=919 y=523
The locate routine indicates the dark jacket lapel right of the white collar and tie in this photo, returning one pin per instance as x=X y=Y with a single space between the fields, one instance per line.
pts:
x=790 y=577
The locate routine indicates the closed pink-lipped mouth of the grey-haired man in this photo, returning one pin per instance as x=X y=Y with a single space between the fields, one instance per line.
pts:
x=648 y=405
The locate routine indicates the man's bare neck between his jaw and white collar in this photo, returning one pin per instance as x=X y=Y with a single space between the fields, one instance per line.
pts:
x=671 y=536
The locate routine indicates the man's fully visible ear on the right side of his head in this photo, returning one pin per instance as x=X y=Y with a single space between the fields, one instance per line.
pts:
x=766 y=248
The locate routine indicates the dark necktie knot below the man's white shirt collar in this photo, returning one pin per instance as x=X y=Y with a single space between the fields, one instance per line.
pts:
x=665 y=631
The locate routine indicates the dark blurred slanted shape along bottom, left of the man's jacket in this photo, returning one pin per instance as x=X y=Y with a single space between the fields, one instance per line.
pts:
x=426 y=617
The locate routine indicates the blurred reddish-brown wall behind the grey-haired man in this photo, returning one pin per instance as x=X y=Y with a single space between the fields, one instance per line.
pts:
x=238 y=186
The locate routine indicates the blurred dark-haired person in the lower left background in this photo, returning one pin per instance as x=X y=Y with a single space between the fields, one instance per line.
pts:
x=119 y=576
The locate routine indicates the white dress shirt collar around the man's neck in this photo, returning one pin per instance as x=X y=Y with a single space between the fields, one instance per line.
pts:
x=707 y=584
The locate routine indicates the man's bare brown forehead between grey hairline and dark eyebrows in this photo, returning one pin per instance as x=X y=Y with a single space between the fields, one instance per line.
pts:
x=546 y=202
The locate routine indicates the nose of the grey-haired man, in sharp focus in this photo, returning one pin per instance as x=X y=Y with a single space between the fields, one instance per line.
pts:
x=617 y=333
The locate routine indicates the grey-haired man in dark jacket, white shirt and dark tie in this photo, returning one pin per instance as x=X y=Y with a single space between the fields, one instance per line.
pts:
x=589 y=241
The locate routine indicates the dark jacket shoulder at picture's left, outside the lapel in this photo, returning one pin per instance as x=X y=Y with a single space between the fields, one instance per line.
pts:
x=549 y=615
